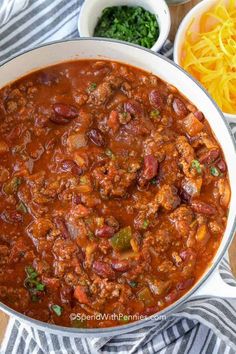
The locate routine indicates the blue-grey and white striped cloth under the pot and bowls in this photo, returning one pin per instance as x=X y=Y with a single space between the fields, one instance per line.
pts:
x=200 y=326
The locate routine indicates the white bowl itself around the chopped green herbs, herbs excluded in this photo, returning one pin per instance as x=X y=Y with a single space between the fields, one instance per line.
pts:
x=91 y=11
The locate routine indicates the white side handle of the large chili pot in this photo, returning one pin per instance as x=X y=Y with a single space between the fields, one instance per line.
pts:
x=215 y=286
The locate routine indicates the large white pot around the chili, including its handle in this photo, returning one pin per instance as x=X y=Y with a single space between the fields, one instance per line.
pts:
x=89 y=48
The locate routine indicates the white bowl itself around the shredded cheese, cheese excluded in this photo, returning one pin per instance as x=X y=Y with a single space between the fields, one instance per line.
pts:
x=193 y=17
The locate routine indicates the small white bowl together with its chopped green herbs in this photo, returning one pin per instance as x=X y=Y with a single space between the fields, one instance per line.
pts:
x=142 y=22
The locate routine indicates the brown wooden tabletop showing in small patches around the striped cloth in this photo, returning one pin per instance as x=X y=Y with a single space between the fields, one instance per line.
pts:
x=177 y=14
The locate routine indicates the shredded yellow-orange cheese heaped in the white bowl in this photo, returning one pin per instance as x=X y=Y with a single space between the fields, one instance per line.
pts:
x=210 y=54
